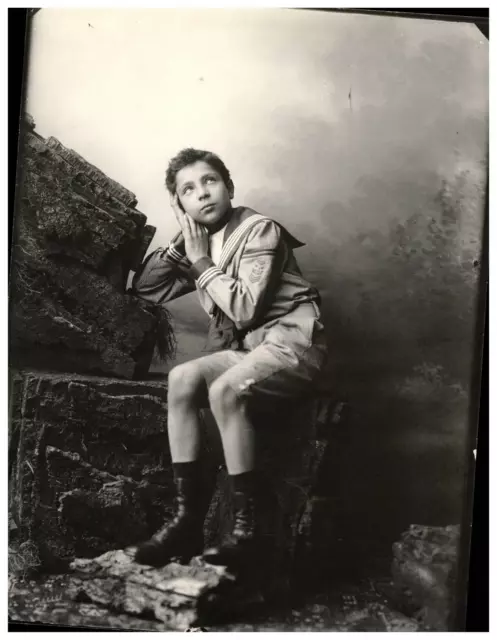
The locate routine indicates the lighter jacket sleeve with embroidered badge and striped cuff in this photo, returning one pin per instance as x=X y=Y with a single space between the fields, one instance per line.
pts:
x=261 y=264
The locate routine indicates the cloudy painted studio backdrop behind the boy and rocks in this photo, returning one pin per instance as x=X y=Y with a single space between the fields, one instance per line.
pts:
x=367 y=137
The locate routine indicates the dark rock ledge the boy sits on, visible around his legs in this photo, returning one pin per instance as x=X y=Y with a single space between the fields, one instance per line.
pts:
x=90 y=469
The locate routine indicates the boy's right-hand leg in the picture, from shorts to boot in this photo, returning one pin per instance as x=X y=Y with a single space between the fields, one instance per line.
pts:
x=267 y=374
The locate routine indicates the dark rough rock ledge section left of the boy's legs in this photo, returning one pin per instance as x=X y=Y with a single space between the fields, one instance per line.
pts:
x=89 y=462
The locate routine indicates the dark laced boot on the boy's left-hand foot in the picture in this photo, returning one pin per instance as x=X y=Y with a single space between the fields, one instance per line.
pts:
x=182 y=538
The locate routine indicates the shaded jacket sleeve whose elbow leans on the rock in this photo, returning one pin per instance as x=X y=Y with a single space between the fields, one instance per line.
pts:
x=164 y=274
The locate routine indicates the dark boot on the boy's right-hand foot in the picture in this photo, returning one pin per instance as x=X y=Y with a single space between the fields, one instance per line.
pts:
x=238 y=547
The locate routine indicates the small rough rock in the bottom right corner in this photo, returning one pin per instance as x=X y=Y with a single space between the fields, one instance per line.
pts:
x=424 y=574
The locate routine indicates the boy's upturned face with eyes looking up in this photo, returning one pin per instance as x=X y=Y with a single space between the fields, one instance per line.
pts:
x=202 y=192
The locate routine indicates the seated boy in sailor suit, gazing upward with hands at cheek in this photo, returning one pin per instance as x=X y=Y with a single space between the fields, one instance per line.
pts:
x=265 y=333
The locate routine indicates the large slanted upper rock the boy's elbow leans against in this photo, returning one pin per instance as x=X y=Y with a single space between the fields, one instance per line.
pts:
x=76 y=237
